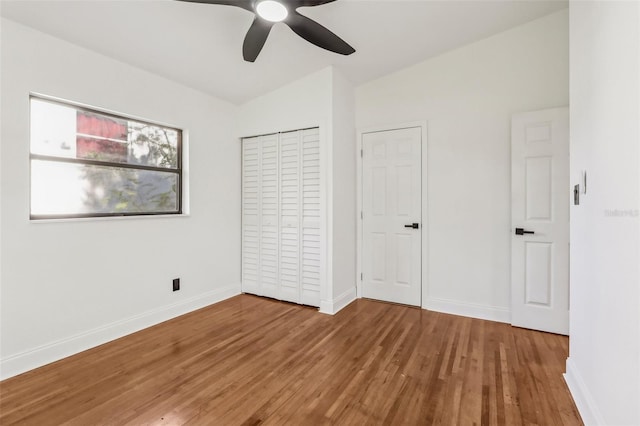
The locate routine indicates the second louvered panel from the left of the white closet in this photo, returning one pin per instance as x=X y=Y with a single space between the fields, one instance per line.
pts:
x=269 y=224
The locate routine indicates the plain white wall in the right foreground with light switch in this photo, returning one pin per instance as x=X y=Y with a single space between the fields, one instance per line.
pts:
x=603 y=370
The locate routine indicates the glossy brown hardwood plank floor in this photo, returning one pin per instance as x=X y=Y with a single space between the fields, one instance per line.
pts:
x=248 y=361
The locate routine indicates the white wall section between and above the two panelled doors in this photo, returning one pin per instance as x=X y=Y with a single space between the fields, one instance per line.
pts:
x=467 y=96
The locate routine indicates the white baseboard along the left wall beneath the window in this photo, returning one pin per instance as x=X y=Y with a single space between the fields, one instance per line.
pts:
x=54 y=351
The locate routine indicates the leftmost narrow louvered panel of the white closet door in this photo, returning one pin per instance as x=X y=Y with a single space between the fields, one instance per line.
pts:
x=250 y=215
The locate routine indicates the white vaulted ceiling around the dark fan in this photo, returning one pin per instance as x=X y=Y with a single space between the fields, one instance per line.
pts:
x=200 y=45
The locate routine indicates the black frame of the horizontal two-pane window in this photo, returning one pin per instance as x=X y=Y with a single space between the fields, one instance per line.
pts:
x=42 y=157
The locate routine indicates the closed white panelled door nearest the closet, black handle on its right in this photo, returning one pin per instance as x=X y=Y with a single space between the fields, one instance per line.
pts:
x=392 y=211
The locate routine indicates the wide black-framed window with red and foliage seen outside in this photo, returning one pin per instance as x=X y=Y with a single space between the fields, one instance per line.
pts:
x=87 y=163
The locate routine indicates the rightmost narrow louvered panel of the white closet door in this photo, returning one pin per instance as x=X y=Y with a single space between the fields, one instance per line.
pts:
x=310 y=227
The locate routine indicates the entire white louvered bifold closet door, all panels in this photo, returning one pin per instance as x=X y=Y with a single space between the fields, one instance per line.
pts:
x=281 y=216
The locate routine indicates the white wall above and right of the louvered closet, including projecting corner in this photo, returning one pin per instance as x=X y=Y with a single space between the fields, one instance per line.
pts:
x=324 y=99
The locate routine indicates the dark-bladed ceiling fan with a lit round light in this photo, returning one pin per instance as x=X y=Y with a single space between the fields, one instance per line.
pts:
x=269 y=12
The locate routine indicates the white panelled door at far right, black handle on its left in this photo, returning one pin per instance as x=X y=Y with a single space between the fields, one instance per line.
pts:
x=540 y=197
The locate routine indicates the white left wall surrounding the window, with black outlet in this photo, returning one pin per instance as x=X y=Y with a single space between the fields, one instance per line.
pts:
x=70 y=285
